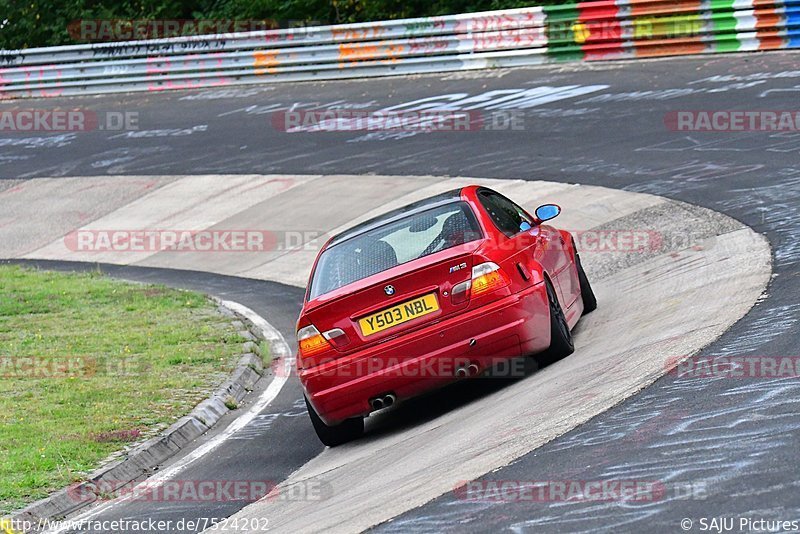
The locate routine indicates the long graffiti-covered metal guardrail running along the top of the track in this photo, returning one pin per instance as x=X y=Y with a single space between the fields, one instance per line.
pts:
x=602 y=30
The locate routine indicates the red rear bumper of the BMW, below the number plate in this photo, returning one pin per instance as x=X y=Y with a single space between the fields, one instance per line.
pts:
x=427 y=359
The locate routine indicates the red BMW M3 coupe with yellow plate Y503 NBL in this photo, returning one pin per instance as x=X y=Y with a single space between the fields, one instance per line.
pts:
x=434 y=292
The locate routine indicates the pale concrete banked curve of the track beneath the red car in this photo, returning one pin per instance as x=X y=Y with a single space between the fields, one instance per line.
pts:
x=658 y=267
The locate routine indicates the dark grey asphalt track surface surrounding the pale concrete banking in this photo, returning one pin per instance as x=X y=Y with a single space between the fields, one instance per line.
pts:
x=722 y=447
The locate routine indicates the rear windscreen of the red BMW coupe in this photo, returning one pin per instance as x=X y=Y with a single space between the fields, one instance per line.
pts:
x=394 y=244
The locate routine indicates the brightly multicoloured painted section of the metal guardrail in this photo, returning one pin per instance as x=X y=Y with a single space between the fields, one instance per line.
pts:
x=647 y=28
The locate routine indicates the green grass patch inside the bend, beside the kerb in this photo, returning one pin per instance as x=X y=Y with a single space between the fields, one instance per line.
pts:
x=89 y=364
